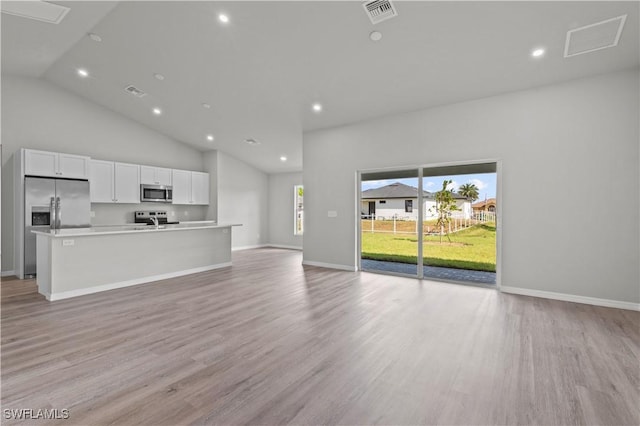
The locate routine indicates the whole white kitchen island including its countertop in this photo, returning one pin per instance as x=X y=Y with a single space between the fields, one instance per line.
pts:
x=75 y=262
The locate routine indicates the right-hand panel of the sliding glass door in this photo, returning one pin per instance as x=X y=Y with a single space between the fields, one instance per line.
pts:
x=459 y=231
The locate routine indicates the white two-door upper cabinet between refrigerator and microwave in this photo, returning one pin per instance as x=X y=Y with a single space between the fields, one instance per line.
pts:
x=114 y=182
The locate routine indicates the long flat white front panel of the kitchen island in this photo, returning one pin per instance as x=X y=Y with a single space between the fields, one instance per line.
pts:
x=102 y=262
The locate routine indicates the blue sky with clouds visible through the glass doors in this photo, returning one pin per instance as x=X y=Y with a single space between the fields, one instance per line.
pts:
x=486 y=183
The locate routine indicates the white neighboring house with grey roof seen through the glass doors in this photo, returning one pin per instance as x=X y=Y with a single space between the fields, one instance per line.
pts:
x=401 y=201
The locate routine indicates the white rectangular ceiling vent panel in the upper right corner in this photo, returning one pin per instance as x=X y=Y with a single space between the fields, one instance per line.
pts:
x=590 y=38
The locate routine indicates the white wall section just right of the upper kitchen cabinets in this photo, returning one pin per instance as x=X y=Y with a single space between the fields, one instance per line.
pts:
x=243 y=198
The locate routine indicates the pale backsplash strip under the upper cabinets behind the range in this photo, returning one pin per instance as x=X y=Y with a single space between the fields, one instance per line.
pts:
x=117 y=214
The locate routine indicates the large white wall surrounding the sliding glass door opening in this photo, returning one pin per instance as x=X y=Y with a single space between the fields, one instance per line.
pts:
x=573 y=141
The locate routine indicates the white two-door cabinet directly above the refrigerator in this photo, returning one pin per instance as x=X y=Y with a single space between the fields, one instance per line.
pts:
x=54 y=164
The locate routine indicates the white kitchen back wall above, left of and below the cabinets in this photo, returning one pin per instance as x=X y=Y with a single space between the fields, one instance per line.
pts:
x=39 y=115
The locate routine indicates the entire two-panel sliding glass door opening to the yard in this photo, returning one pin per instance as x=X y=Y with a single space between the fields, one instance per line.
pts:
x=435 y=222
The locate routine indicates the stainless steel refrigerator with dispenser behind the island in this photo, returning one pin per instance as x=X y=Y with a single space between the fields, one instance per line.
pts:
x=52 y=204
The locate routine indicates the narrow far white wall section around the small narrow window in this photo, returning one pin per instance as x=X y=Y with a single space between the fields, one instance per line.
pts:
x=281 y=210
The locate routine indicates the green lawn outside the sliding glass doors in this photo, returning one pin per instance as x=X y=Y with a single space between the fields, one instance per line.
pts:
x=473 y=248
